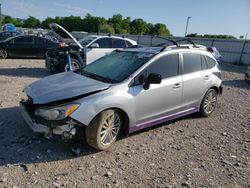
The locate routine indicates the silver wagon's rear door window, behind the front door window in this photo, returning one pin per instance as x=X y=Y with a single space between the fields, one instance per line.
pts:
x=192 y=63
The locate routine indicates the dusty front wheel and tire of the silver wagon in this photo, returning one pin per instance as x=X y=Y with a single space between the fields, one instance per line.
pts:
x=104 y=129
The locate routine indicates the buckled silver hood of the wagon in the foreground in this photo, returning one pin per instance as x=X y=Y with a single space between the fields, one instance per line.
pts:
x=62 y=86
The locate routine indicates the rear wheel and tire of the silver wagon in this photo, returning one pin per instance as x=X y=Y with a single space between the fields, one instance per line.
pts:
x=208 y=103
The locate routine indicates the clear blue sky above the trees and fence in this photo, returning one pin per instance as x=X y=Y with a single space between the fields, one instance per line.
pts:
x=231 y=17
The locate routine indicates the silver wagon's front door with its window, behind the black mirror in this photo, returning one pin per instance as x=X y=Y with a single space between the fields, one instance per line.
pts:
x=160 y=99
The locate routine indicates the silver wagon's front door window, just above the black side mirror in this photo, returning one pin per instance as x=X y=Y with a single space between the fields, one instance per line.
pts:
x=166 y=66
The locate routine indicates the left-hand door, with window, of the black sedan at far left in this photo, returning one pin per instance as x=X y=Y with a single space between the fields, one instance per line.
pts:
x=20 y=46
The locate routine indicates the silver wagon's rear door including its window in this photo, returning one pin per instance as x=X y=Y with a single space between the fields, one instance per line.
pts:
x=196 y=79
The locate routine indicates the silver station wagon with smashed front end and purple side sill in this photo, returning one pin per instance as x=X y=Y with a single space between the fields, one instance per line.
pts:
x=125 y=91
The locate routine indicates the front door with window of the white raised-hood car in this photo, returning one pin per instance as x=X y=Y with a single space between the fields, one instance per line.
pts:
x=105 y=47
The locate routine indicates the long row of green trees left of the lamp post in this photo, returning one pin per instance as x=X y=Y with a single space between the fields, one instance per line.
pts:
x=93 y=24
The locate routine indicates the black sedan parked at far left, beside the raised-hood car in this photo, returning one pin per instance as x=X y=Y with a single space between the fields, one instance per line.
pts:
x=25 y=46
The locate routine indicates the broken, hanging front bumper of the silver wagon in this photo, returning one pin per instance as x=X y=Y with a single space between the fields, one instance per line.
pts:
x=66 y=130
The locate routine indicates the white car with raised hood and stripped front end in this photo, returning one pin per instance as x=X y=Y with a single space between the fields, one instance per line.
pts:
x=85 y=50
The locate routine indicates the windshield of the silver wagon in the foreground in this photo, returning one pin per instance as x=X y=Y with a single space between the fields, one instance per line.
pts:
x=116 y=66
